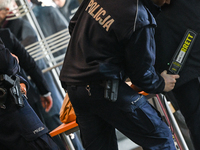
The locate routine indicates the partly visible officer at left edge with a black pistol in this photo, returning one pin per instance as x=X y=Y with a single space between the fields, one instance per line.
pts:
x=20 y=128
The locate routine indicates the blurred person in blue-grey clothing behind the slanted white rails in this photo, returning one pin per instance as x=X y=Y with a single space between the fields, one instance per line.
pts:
x=50 y=20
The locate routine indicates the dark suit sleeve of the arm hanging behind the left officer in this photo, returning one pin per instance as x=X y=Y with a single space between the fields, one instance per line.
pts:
x=26 y=61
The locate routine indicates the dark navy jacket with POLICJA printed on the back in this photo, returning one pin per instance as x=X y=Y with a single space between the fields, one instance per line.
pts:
x=109 y=39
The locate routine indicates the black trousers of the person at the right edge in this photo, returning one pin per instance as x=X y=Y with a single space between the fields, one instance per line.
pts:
x=188 y=98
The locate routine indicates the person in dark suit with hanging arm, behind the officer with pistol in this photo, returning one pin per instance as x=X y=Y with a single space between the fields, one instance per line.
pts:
x=28 y=68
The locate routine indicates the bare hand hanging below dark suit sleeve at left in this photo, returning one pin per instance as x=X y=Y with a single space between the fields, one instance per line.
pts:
x=47 y=102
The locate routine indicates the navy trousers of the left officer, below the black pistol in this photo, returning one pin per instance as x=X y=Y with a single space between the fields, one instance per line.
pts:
x=21 y=129
